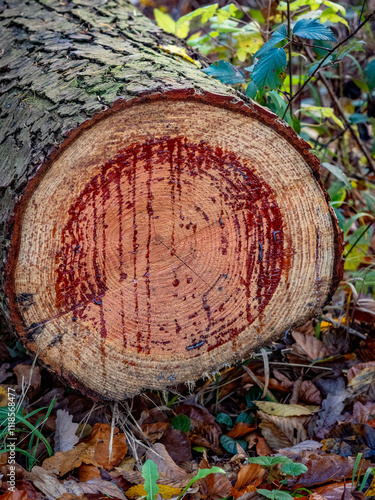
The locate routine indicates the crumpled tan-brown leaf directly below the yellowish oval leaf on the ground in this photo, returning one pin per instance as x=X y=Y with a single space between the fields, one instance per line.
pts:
x=282 y=432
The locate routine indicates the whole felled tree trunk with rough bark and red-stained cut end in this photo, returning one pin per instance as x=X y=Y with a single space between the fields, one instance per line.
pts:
x=154 y=226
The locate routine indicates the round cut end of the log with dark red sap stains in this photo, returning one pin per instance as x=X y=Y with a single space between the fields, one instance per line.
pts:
x=167 y=237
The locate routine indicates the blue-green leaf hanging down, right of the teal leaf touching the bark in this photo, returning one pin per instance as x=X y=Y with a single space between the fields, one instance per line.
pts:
x=268 y=72
